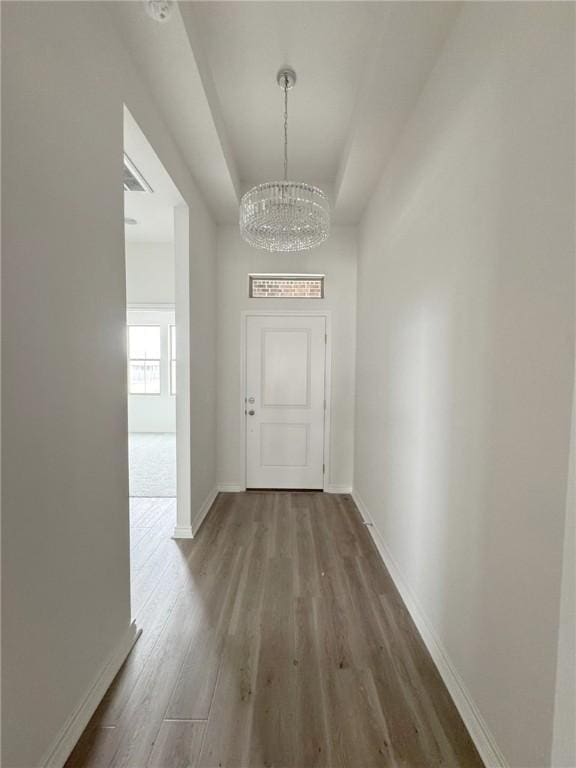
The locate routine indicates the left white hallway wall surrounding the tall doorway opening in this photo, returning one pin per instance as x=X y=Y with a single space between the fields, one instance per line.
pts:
x=65 y=579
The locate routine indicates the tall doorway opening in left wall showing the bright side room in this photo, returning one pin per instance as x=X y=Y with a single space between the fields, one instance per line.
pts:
x=157 y=358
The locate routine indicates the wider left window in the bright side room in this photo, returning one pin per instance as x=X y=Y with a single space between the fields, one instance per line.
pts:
x=144 y=359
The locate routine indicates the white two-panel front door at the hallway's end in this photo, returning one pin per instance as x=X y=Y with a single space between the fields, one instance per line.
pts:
x=285 y=391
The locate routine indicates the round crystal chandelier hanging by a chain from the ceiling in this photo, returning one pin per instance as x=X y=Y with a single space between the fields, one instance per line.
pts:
x=285 y=215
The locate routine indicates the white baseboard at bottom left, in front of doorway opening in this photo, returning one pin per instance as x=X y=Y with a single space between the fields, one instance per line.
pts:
x=74 y=726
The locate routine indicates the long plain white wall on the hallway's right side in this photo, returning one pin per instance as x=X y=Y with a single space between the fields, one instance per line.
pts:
x=465 y=357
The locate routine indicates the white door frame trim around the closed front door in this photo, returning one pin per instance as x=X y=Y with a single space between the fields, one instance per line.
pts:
x=327 y=315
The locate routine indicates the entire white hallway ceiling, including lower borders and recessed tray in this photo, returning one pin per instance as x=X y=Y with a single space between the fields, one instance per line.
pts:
x=360 y=65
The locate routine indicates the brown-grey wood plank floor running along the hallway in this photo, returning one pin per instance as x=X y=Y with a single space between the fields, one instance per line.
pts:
x=275 y=639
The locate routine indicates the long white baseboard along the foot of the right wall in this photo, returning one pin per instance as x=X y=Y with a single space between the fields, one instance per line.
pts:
x=469 y=712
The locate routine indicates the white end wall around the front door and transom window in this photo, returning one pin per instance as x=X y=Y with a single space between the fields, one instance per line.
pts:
x=236 y=260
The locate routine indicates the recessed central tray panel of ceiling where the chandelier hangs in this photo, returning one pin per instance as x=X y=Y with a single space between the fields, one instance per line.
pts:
x=246 y=43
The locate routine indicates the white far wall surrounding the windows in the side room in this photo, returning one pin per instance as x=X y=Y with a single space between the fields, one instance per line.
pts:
x=150 y=280
